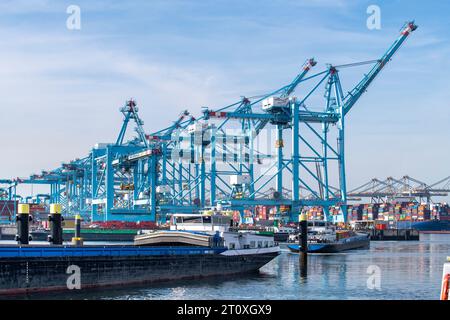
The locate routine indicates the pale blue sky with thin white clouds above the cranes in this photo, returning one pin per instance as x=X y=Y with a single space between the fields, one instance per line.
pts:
x=61 y=89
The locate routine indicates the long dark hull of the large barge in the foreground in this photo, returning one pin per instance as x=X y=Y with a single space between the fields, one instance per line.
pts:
x=22 y=275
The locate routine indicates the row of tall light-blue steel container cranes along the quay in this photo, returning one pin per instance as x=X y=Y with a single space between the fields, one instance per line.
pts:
x=215 y=160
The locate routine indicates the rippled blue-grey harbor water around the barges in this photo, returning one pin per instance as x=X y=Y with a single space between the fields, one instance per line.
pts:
x=388 y=270
